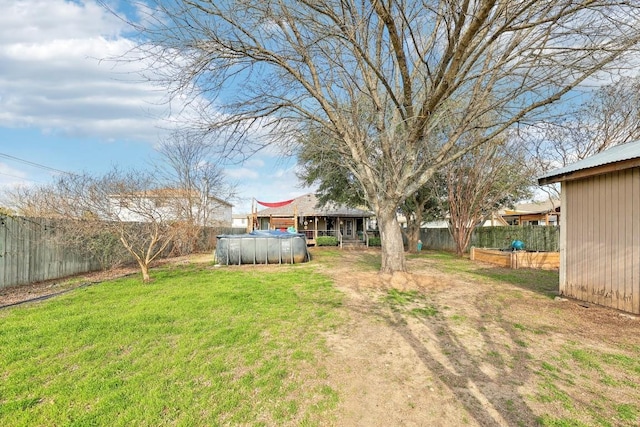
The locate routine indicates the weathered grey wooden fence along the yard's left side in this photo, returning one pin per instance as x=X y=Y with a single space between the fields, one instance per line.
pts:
x=31 y=251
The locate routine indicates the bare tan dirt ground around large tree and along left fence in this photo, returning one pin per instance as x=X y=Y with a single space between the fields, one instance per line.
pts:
x=461 y=350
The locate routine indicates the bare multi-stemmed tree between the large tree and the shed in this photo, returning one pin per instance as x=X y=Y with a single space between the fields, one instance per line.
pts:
x=481 y=182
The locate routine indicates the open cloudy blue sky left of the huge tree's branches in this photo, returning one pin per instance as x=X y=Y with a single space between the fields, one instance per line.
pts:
x=65 y=107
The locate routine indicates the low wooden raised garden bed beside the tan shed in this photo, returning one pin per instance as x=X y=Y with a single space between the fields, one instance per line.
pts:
x=517 y=259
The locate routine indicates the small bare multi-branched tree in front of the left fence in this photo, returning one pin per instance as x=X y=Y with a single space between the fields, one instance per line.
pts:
x=121 y=204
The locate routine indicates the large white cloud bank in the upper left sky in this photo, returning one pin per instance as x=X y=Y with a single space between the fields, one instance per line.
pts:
x=55 y=75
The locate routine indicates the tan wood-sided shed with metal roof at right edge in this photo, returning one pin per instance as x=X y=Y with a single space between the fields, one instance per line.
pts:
x=600 y=228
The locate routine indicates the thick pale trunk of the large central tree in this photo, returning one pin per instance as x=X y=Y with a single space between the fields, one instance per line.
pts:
x=392 y=247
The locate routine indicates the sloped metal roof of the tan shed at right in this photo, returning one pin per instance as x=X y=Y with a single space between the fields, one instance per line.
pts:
x=626 y=155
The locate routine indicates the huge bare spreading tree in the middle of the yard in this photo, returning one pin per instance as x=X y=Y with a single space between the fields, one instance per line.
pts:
x=377 y=77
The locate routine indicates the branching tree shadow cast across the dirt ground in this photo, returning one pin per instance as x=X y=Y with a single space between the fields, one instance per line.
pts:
x=485 y=383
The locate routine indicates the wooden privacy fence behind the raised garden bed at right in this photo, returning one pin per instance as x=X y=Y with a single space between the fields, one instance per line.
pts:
x=535 y=237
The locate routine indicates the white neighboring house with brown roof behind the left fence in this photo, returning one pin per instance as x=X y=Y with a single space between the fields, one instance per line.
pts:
x=172 y=205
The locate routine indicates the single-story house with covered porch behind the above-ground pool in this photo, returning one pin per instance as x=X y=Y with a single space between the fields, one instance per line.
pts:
x=349 y=225
